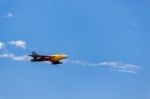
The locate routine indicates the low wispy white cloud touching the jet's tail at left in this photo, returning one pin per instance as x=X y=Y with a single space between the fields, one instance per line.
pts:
x=14 y=57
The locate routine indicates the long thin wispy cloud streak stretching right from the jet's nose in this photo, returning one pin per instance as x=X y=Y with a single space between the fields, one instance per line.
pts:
x=114 y=65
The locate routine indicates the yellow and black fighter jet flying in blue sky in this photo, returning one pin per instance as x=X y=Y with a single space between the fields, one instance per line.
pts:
x=54 y=59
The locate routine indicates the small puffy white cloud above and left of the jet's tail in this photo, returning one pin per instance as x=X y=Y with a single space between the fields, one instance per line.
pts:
x=18 y=43
